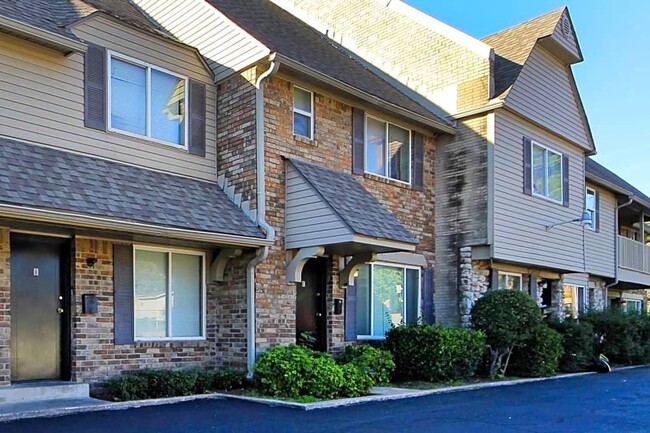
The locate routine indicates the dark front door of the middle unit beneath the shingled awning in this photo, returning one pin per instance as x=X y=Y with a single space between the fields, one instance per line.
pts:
x=311 y=317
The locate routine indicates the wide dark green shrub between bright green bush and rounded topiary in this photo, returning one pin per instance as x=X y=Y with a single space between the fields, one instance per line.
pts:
x=434 y=352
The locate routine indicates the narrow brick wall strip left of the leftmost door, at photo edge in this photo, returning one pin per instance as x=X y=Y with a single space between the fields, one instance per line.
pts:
x=5 y=309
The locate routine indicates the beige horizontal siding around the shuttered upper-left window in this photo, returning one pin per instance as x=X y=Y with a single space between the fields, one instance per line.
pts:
x=42 y=95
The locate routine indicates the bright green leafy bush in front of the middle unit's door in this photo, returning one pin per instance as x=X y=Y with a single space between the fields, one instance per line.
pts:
x=296 y=372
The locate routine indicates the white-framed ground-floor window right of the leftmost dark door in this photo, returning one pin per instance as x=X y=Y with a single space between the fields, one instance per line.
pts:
x=169 y=294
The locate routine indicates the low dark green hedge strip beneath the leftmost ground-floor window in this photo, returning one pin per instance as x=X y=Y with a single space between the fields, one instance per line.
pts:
x=146 y=384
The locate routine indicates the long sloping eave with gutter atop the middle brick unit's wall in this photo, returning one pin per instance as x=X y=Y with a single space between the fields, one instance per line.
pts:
x=438 y=125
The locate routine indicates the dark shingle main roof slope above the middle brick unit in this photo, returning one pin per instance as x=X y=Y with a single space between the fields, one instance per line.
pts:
x=287 y=35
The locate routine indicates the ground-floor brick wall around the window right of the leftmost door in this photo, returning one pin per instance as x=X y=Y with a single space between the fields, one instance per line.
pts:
x=96 y=358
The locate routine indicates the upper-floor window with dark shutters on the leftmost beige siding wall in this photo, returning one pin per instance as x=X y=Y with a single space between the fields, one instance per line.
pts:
x=147 y=101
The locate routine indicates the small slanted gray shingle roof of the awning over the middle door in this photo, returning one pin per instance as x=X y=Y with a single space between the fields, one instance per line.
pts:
x=357 y=207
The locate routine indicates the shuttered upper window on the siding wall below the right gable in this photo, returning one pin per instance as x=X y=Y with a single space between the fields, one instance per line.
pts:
x=546 y=173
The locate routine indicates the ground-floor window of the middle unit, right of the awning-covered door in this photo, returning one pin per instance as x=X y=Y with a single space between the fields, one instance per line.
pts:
x=386 y=295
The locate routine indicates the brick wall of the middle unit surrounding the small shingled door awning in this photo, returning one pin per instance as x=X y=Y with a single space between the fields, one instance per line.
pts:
x=331 y=148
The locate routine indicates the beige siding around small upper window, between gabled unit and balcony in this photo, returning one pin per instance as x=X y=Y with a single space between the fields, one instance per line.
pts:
x=600 y=245
